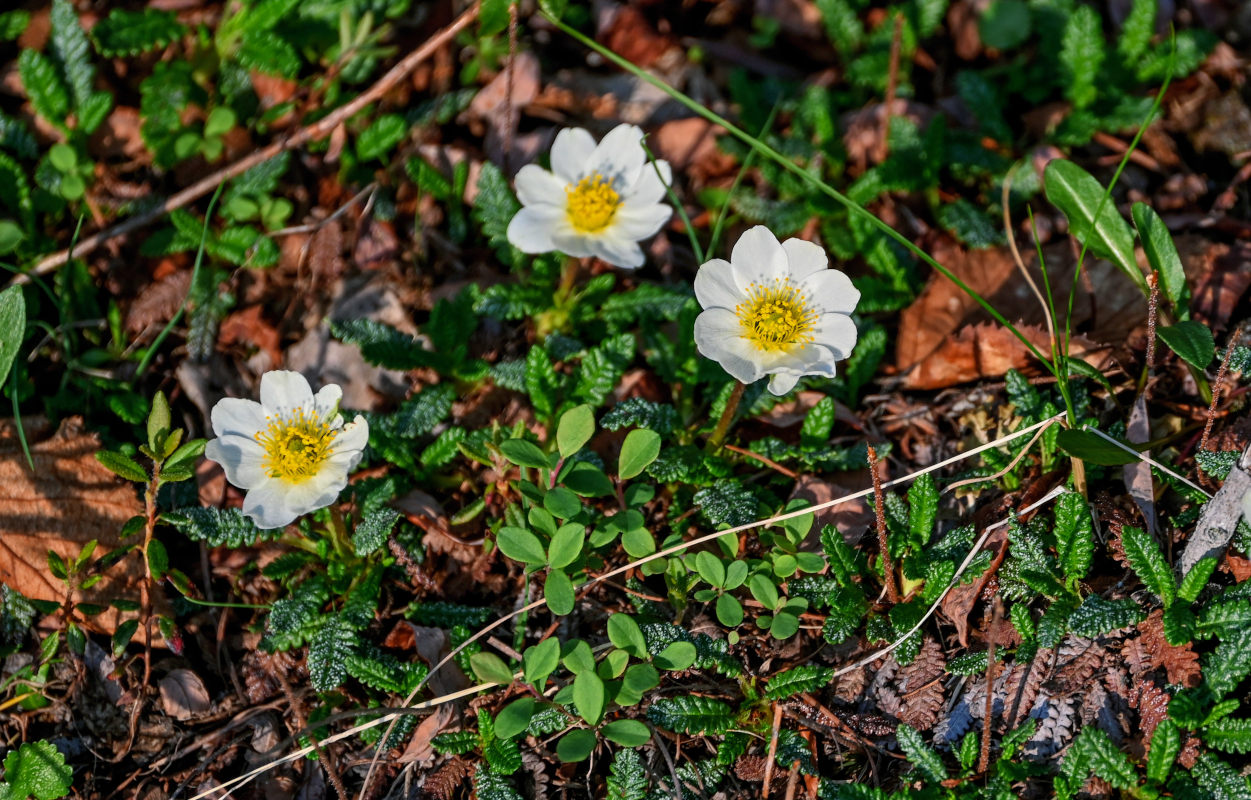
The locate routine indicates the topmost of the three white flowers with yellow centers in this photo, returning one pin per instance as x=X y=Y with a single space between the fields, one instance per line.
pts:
x=599 y=200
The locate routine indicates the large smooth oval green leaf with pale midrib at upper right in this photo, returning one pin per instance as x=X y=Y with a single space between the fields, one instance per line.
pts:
x=1079 y=195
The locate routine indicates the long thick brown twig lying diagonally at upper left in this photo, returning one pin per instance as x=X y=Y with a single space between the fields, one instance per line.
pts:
x=320 y=130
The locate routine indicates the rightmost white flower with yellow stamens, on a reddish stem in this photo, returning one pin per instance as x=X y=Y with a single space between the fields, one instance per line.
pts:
x=775 y=310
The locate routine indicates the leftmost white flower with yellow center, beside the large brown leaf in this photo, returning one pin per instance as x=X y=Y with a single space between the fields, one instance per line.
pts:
x=292 y=451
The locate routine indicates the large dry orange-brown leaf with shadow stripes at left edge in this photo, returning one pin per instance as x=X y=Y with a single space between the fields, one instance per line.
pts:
x=66 y=503
